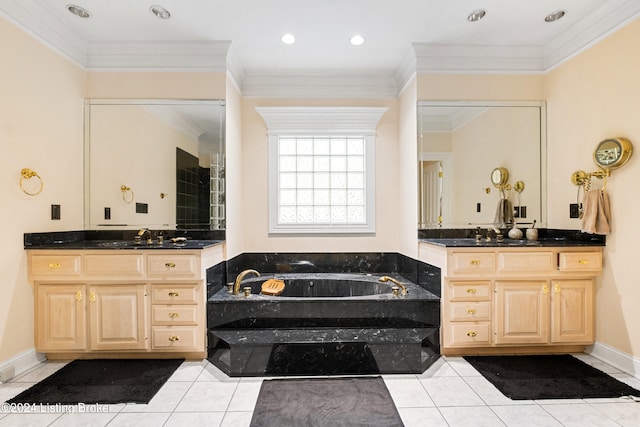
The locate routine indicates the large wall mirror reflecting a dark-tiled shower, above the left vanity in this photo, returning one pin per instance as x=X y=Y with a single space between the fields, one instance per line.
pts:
x=155 y=163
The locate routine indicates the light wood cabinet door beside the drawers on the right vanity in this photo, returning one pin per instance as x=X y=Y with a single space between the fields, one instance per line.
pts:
x=522 y=312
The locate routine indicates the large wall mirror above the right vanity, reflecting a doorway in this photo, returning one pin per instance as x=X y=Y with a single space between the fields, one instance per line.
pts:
x=461 y=144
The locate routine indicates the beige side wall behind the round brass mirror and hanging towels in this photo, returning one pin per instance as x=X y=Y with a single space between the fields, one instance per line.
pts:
x=592 y=97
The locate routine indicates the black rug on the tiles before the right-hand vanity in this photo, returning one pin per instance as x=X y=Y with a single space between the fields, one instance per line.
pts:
x=548 y=377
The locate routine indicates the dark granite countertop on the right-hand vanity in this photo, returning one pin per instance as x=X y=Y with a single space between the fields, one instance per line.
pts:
x=510 y=243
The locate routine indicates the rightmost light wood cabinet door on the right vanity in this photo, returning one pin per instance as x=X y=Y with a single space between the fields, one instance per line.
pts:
x=572 y=311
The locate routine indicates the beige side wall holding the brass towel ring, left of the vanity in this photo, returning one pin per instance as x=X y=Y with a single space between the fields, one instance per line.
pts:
x=41 y=121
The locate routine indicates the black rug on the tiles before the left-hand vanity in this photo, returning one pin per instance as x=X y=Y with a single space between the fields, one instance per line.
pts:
x=104 y=381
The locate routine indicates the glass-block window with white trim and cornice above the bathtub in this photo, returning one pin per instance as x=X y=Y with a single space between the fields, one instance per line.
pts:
x=321 y=169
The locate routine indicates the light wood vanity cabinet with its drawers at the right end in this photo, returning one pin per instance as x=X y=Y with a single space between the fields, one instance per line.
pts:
x=121 y=301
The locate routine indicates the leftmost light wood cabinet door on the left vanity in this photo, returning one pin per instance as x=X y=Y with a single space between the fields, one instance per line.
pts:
x=60 y=317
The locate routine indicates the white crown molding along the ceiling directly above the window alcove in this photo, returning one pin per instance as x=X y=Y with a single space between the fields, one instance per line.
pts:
x=302 y=84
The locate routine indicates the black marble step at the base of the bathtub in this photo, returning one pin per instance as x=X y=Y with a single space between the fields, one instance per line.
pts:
x=323 y=351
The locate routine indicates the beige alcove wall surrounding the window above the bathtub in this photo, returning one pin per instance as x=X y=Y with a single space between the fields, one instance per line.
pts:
x=255 y=181
